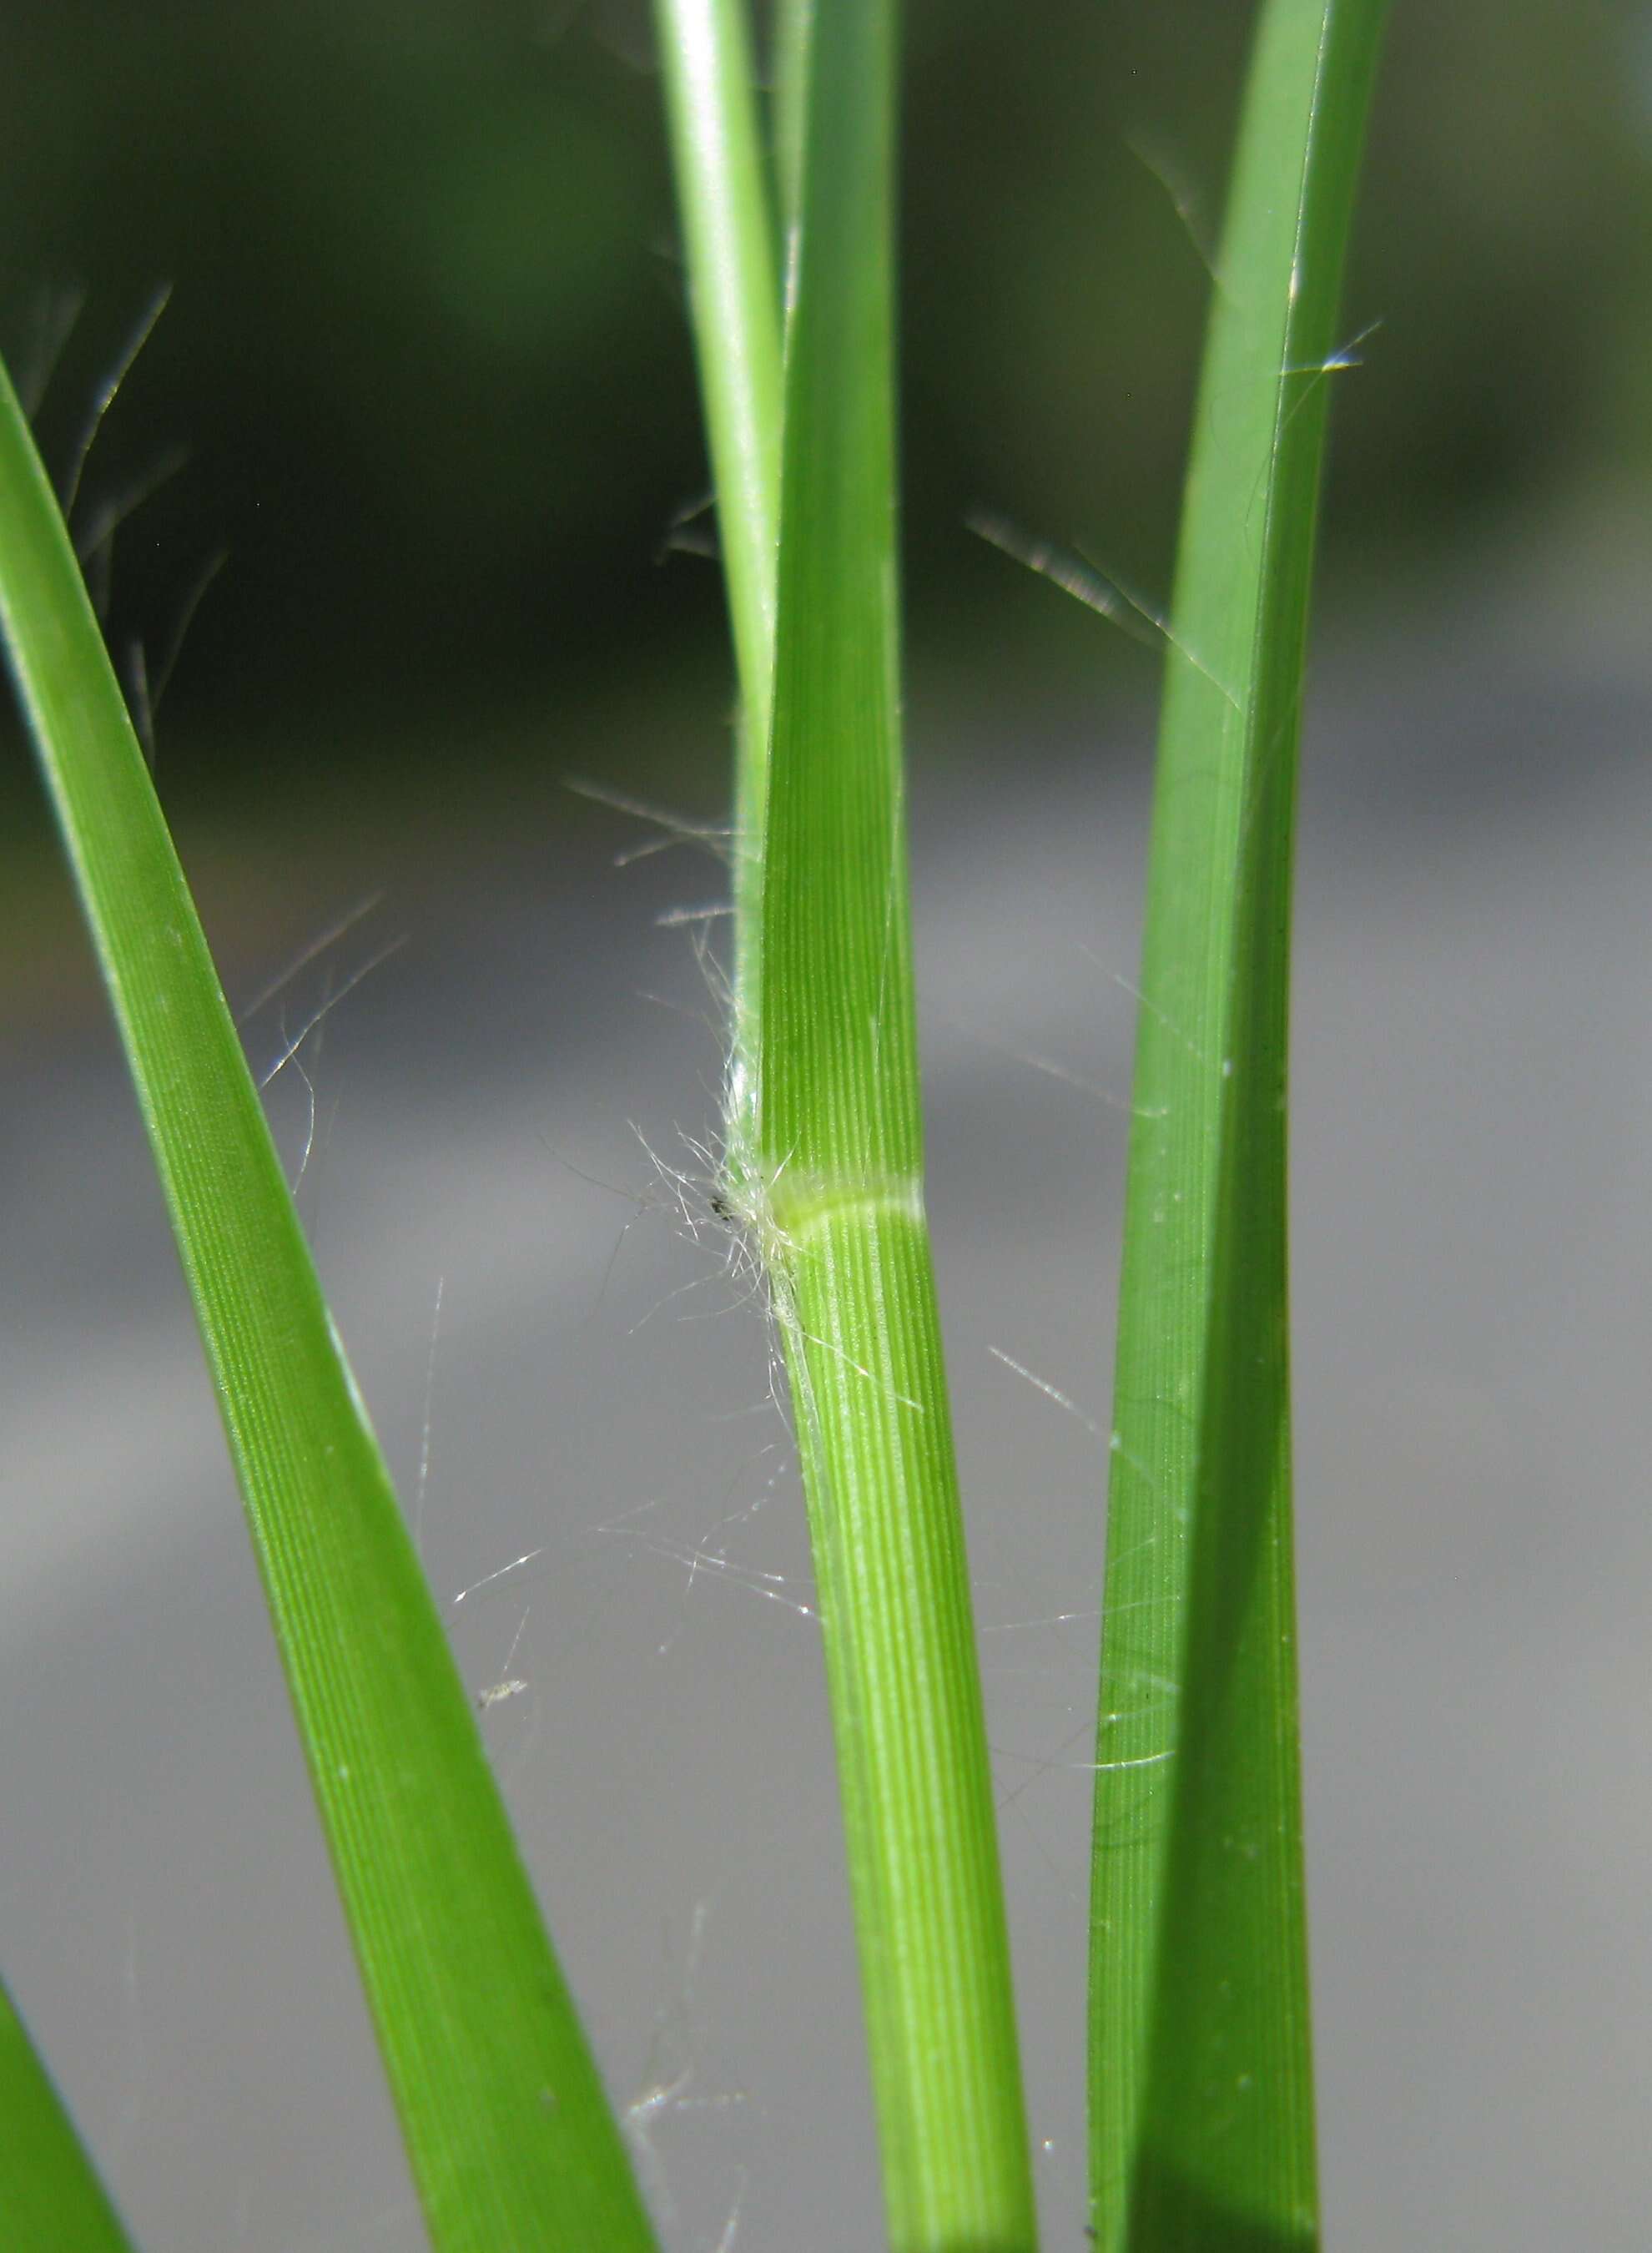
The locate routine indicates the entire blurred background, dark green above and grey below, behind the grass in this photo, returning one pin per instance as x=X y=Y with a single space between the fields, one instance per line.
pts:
x=429 y=373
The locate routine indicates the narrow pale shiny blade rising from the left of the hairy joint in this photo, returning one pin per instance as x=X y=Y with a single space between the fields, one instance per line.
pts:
x=736 y=301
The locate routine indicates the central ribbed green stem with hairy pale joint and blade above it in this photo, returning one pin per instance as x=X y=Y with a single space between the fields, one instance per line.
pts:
x=835 y=1202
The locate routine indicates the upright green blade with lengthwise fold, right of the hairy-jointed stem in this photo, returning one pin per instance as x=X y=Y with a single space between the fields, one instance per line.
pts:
x=1202 y=2108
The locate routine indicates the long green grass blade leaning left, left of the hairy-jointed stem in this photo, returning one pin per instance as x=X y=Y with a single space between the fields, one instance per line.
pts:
x=504 y=2117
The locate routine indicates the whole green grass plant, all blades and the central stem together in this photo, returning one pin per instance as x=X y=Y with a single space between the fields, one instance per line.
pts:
x=1200 y=2036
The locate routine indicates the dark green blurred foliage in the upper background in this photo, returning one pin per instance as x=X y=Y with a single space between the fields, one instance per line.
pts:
x=429 y=364
